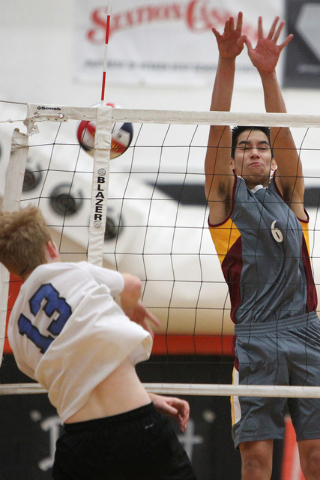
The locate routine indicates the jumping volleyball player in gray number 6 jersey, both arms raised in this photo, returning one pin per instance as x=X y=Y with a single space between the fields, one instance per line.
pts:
x=259 y=228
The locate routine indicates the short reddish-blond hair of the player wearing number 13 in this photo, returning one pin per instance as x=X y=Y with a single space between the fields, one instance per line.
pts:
x=23 y=237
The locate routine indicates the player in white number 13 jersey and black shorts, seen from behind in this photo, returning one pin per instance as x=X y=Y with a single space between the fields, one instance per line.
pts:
x=67 y=332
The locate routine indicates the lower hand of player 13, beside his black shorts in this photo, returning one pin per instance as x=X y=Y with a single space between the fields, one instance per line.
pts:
x=173 y=407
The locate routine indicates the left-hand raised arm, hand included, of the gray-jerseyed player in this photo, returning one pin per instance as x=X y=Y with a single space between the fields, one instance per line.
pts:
x=219 y=178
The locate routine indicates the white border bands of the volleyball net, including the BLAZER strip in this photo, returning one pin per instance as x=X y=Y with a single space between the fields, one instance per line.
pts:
x=104 y=118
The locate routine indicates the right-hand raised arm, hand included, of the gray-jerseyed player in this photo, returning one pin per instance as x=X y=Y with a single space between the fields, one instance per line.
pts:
x=265 y=56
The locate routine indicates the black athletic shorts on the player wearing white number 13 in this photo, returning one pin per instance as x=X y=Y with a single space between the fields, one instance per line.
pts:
x=137 y=445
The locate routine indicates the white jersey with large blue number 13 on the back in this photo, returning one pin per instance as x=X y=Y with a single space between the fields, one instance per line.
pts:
x=68 y=333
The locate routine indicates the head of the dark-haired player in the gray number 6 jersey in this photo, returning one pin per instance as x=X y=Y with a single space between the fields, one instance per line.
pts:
x=253 y=159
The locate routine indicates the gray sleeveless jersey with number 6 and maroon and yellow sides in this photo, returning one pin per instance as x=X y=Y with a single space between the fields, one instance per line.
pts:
x=263 y=250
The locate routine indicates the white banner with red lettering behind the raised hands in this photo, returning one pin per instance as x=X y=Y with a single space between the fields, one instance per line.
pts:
x=163 y=42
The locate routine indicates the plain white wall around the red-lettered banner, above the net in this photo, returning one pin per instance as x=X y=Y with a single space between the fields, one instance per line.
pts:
x=38 y=62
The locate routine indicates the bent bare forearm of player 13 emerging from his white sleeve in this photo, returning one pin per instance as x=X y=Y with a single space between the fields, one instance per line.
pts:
x=130 y=299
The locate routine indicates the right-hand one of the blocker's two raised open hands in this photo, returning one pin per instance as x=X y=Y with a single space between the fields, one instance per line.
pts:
x=266 y=54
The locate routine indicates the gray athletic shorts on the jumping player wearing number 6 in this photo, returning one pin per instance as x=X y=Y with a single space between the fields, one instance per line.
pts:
x=277 y=353
